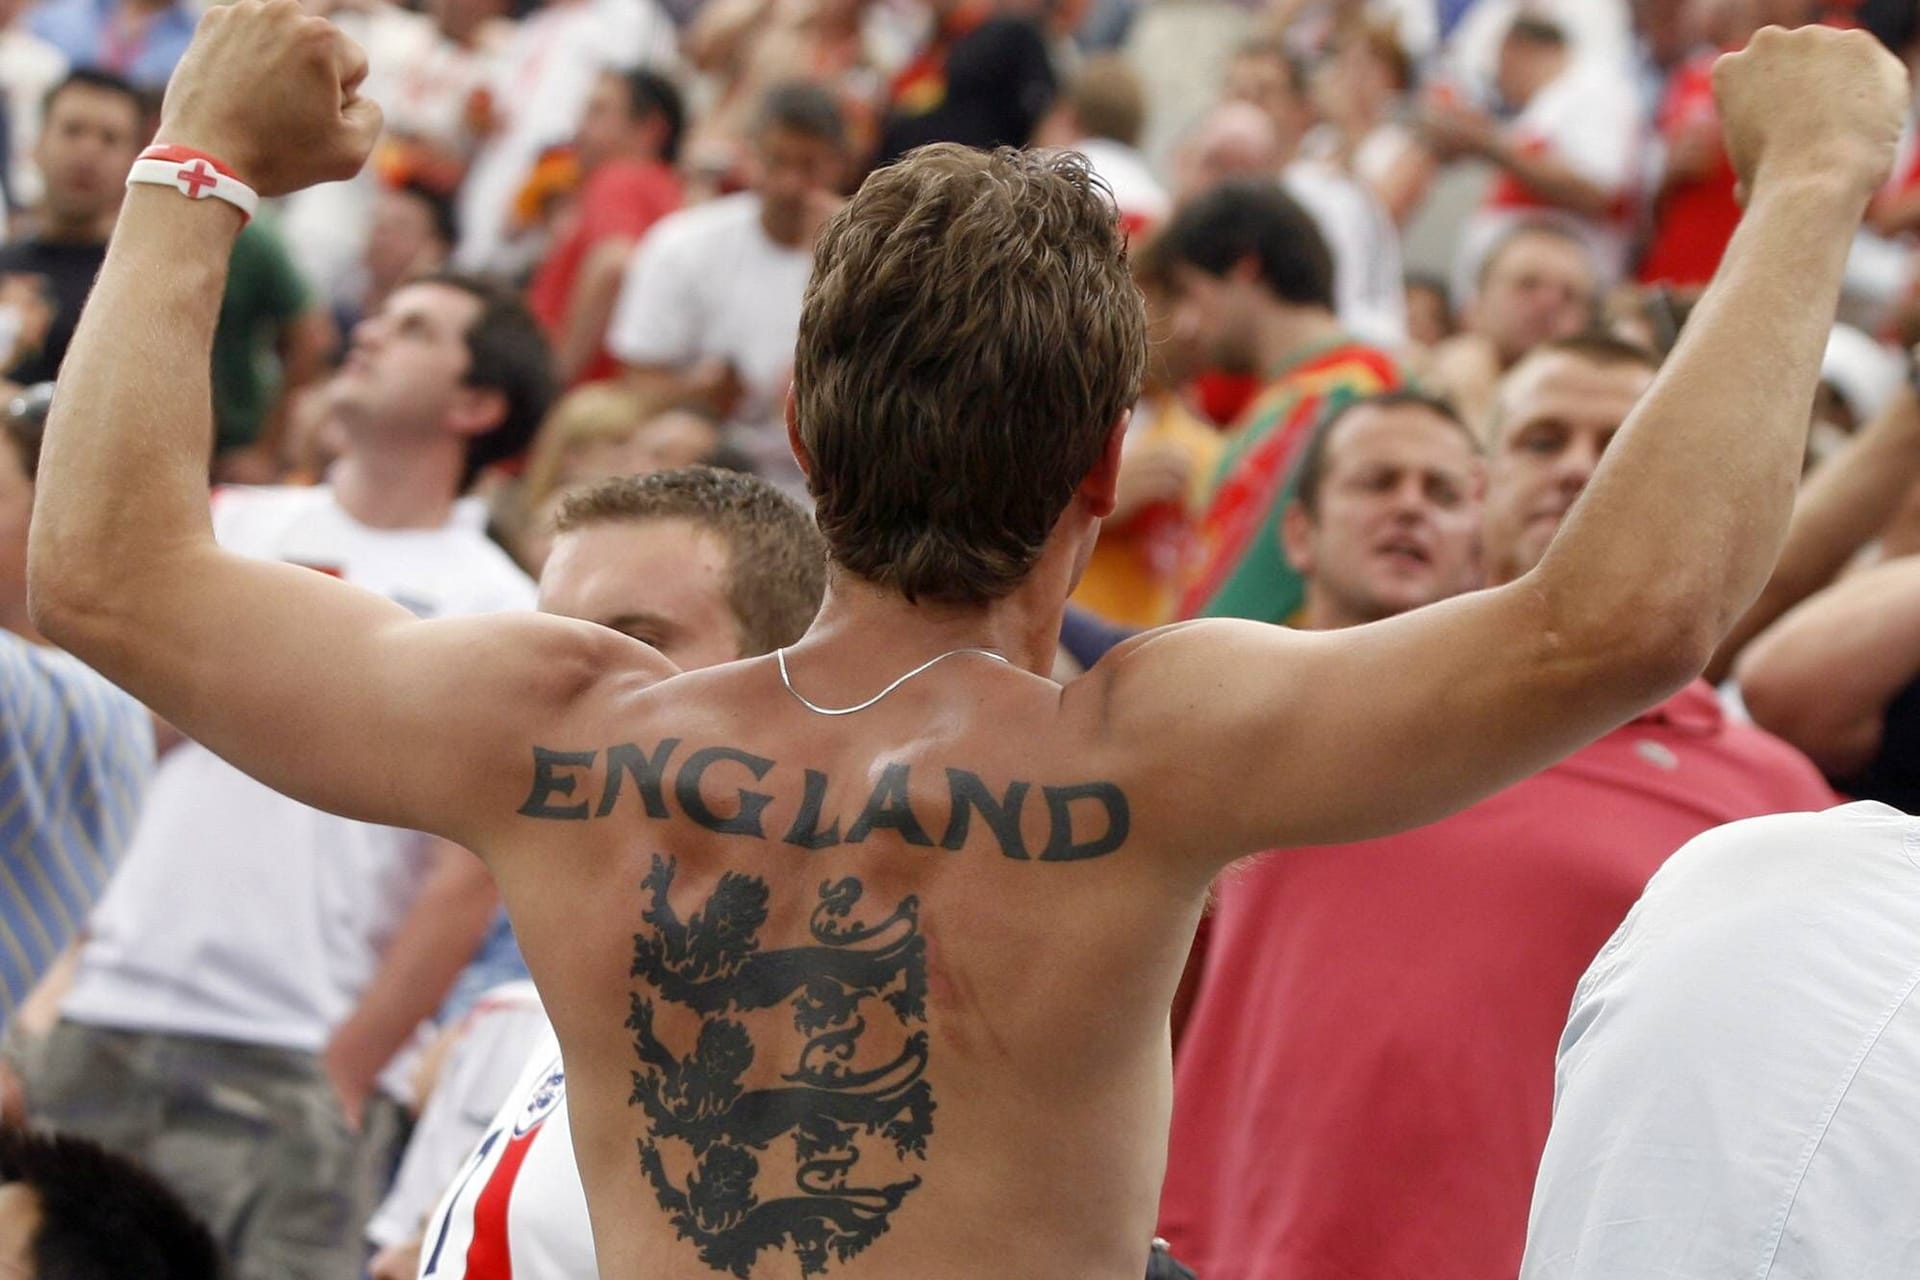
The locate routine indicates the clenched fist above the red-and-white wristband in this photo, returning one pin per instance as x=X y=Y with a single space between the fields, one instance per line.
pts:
x=276 y=95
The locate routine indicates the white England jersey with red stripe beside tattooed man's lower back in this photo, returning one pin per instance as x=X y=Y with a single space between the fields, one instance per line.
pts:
x=517 y=1208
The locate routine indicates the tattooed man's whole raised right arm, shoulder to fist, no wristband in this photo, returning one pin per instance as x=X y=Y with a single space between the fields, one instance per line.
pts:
x=1264 y=738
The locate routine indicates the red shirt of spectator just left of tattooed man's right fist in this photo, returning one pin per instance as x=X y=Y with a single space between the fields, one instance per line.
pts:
x=1694 y=220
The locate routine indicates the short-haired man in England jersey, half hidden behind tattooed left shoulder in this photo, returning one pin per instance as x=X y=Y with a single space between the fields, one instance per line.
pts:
x=708 y=567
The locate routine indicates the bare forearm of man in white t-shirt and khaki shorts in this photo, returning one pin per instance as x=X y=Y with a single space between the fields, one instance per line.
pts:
x=435 y=941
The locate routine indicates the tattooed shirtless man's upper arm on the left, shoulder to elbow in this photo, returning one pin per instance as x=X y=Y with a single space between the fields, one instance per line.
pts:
x=341 y=698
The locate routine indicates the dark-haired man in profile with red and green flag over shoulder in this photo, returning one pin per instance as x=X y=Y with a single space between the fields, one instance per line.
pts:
x=1257 y=293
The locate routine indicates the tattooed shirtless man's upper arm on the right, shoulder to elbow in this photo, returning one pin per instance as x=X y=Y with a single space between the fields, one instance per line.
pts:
x=1312 y=738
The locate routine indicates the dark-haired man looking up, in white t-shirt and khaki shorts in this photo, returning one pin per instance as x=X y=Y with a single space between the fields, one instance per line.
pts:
x=256 y=964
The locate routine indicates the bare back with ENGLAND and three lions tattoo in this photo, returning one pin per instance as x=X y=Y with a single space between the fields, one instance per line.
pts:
x=857 y=993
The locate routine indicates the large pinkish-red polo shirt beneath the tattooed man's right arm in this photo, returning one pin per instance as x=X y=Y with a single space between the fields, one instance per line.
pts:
x=1366 y=1081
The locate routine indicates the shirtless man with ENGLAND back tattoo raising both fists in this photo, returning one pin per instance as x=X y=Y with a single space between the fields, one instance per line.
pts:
x=886 y=993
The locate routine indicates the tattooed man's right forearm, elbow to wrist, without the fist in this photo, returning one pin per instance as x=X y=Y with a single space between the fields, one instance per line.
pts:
x=1685 y=519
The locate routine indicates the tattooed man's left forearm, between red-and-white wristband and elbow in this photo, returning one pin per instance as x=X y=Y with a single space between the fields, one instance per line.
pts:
x=116 y=496
